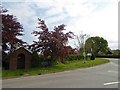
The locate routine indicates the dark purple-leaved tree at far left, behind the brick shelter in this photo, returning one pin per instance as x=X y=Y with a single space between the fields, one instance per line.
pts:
x=11 y=29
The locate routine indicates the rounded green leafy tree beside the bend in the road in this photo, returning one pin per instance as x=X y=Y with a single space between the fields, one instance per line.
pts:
x=95 y=45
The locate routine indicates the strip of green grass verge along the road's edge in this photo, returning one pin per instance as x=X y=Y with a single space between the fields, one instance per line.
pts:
x=71 y=65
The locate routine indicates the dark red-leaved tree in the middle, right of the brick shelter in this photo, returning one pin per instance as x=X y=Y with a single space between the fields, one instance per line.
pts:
x=52 y=43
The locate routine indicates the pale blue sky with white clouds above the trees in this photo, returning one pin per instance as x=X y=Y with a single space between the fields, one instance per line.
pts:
x=91 y=17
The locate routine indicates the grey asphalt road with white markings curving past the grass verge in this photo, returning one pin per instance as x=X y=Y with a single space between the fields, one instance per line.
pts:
x=101 y=76
